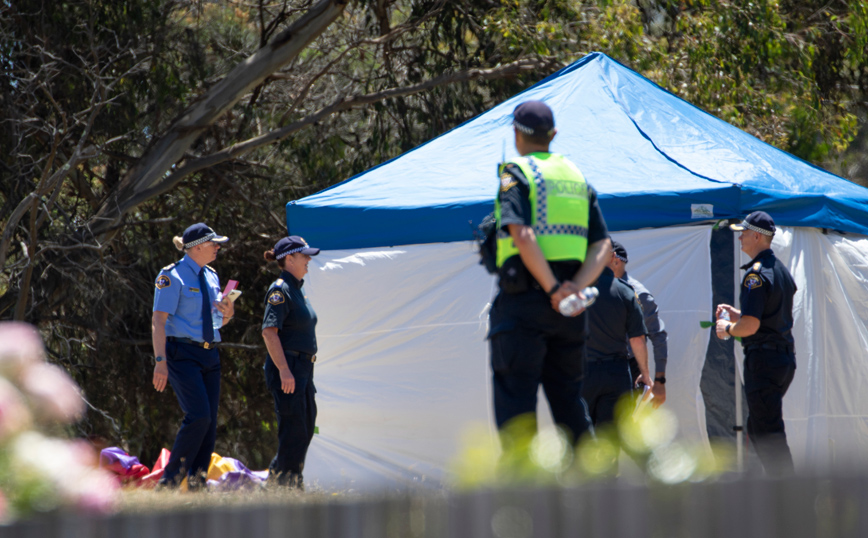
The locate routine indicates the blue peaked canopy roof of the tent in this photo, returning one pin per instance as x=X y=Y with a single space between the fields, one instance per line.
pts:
x=655 y=160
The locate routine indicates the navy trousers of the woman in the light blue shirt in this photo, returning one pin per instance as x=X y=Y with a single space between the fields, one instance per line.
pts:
x=194 y=374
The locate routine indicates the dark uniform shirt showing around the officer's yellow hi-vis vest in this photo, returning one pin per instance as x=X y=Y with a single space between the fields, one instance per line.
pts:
x=515 y=209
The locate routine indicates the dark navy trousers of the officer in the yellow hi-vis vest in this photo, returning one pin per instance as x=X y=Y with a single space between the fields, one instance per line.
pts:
x=531 y=345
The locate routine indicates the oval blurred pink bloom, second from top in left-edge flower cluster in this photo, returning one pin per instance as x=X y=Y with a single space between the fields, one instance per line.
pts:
x=54 y=395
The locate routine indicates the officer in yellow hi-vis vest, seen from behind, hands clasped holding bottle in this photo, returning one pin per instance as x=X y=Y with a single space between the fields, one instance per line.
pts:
x=552 y=242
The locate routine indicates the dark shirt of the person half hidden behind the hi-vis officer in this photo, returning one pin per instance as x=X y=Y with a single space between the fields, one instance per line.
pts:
x=616 y=312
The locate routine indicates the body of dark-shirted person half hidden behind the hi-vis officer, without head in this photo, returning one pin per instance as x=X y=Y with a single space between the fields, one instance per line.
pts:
x=615 y=313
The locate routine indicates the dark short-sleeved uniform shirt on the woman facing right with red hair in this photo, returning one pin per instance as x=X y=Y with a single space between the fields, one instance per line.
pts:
x=287 y=308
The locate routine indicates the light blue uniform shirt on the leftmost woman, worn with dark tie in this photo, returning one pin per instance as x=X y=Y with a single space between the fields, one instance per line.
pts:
x=178 y=295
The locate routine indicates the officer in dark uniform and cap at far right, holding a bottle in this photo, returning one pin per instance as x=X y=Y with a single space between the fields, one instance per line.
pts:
x=765 y=324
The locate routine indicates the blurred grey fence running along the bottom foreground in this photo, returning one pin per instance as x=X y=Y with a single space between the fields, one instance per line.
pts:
x=798 y=507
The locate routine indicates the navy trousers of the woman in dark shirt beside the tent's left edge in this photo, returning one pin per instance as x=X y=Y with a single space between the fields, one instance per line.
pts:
x=296 y=417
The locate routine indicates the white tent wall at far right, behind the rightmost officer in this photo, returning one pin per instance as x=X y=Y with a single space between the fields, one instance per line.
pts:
x=826 y=407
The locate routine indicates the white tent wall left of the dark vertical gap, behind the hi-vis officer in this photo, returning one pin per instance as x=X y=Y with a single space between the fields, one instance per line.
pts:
x=403 y=370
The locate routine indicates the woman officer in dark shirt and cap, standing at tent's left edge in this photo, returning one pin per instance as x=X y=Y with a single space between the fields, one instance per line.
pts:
x=289 y=333
